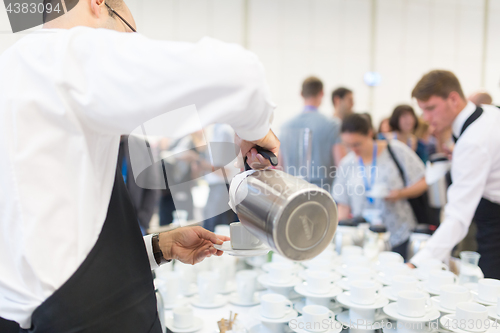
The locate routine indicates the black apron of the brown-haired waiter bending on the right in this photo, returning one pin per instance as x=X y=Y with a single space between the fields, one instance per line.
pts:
x=487 y=218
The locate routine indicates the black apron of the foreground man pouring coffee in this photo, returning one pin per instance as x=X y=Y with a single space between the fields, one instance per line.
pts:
x=112 y=291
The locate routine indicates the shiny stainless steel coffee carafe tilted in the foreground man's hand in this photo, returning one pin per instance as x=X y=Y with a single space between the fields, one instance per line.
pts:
x=293 y=217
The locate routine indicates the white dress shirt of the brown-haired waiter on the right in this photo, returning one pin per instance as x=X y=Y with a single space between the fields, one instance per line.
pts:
x=475 y=171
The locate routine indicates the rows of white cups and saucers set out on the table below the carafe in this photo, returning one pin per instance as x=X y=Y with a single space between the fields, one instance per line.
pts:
x=371 y=291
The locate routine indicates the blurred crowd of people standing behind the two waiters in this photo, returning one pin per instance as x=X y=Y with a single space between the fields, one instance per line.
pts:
x=373 y=172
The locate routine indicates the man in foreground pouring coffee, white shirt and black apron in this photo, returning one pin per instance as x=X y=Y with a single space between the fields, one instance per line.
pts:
x=71 y=254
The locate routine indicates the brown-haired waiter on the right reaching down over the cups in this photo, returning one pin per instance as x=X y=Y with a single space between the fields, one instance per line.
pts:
x=475 y=171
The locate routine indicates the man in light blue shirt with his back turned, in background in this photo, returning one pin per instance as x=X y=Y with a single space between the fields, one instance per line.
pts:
x=326 y=147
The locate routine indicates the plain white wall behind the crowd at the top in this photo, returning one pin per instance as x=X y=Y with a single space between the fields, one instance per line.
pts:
x=338 y=41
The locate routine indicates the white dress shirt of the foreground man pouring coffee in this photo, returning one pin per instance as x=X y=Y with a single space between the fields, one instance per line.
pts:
x=65 y=97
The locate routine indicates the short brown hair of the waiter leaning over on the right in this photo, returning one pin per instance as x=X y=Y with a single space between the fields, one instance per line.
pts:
x=437 y=83
